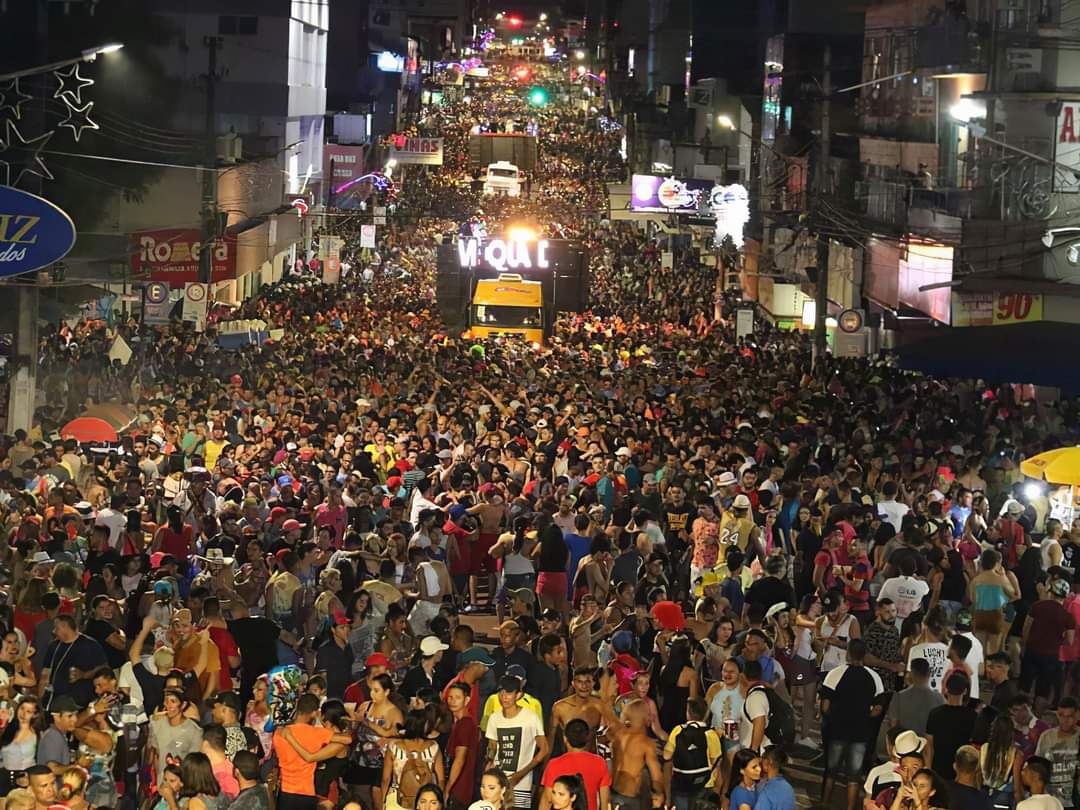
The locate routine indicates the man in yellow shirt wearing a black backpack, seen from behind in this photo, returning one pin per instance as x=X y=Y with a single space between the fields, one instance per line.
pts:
x=691 y=757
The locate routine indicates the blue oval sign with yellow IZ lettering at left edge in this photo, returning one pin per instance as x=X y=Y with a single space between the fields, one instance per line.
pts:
x=34 y=233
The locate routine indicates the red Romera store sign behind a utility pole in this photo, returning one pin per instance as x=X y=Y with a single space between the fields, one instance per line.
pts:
x=172 y=255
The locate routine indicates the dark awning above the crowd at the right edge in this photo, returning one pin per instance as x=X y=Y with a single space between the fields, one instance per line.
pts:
x=1038 y=354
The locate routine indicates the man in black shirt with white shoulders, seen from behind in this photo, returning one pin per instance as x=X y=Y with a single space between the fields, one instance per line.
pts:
x=850 y=698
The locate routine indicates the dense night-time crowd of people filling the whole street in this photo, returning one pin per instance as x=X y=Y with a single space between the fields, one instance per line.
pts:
x=371 y=563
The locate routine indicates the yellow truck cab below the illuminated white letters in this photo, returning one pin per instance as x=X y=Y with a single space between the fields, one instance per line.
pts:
x=506 y=306
